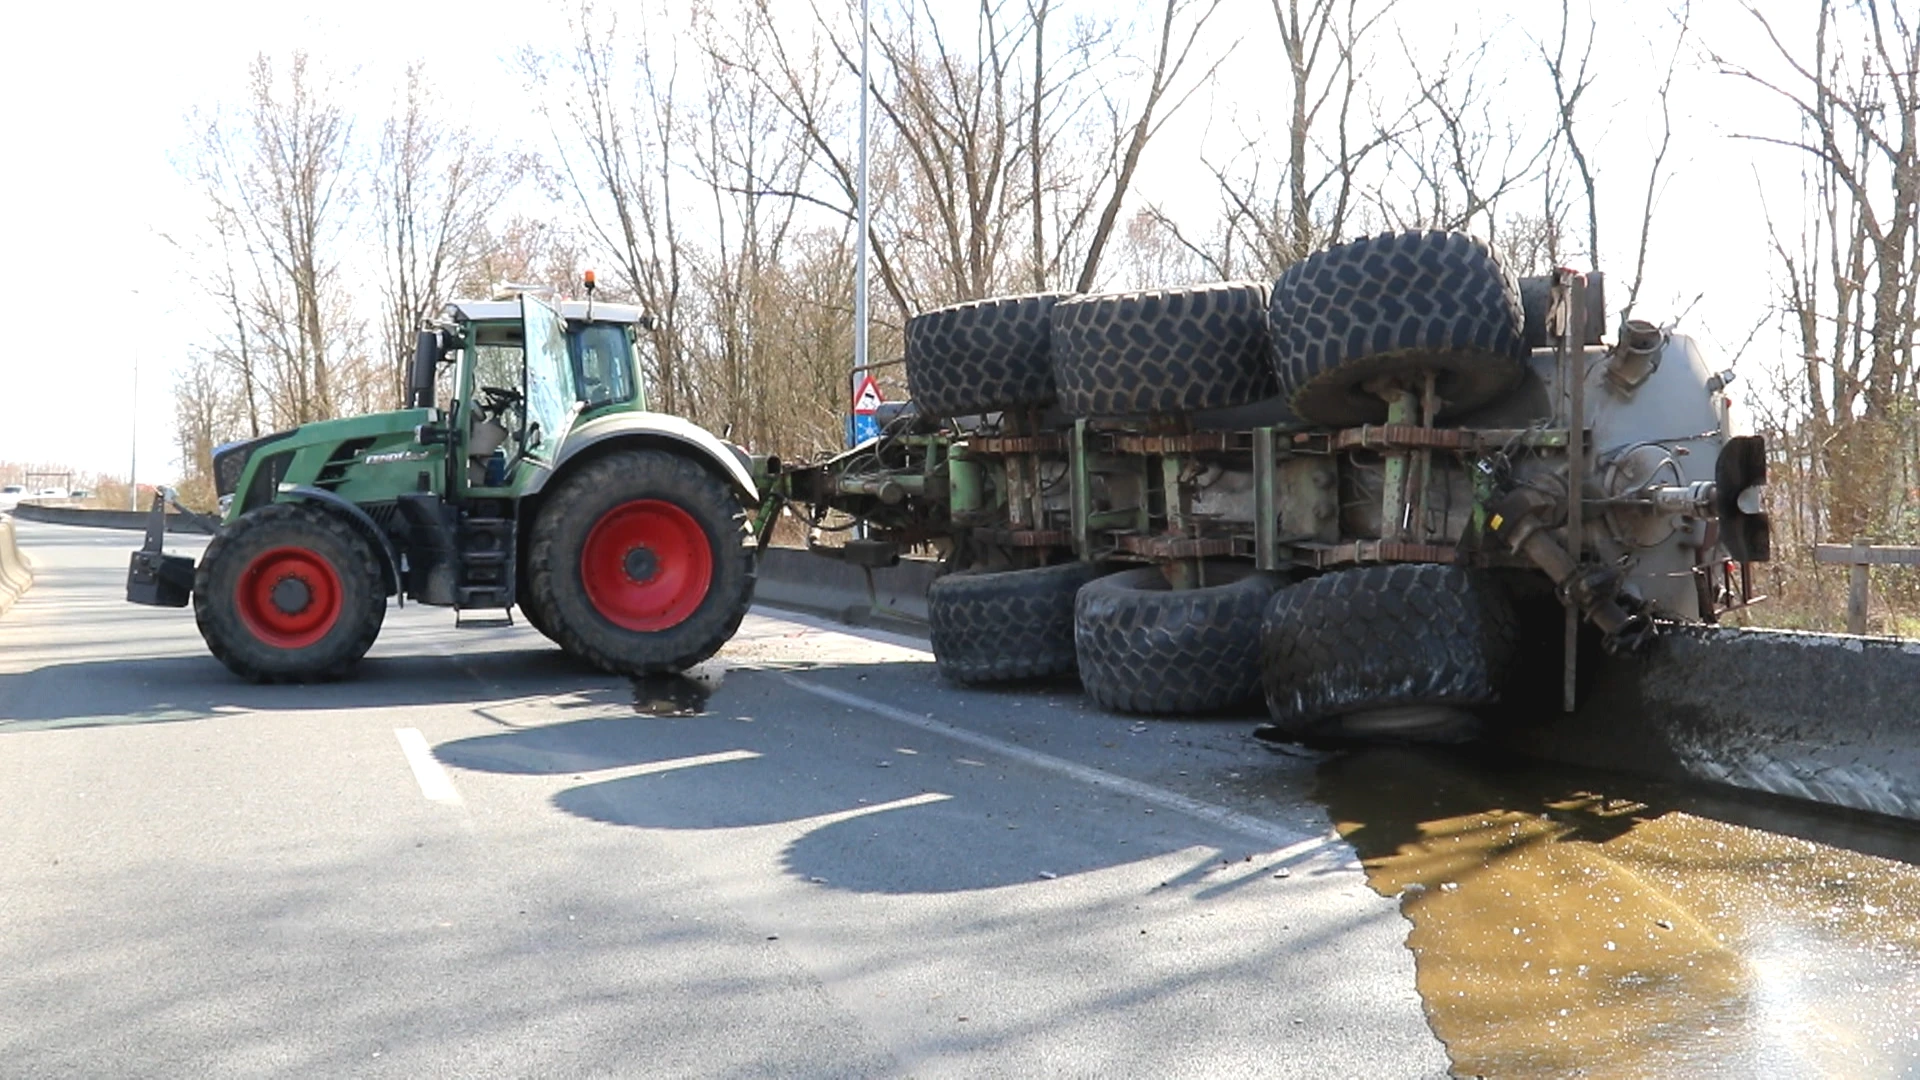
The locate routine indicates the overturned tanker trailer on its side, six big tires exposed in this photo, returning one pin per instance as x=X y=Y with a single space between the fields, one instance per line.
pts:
x=1395 y=491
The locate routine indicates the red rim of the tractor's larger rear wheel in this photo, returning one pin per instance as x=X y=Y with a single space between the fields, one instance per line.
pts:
x=646 y=566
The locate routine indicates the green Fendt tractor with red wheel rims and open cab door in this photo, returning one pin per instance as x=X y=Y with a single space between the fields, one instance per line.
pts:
x=539 y=479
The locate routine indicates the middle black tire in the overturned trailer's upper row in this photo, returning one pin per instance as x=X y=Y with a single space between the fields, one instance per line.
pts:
x=1163 y=353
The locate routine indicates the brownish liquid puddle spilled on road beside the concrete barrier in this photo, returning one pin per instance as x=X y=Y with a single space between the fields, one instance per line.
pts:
x=1568 y=931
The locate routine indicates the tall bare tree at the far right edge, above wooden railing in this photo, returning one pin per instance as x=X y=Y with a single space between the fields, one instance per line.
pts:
x=1852 y=274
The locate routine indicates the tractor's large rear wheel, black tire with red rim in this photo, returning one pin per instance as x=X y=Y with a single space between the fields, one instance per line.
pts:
x=642 y=560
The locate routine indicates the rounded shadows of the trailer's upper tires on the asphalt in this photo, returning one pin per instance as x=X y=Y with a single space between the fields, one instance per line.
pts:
x=867 y=816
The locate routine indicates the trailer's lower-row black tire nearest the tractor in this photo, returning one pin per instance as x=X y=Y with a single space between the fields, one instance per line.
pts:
x=1007 y=626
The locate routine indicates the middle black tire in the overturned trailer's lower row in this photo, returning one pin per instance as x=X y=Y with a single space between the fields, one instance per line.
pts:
x=1151 y=649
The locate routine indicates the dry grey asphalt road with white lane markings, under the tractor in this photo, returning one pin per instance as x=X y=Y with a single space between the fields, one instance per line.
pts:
x=813 y=860
